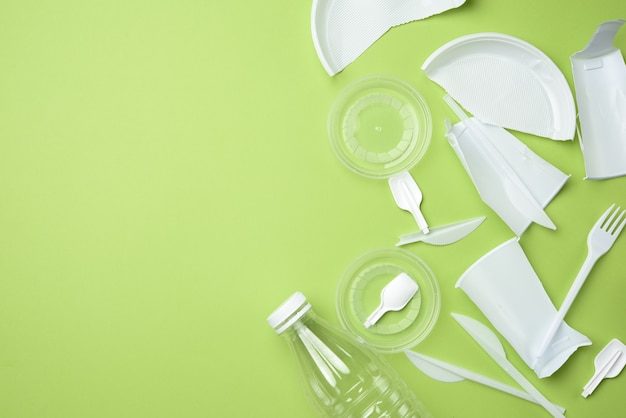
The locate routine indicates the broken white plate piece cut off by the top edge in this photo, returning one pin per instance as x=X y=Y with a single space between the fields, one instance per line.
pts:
x=343 y=29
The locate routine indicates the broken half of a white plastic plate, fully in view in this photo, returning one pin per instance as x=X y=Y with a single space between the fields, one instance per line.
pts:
x=506 y=82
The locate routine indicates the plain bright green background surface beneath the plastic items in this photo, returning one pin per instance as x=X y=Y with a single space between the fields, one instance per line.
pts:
x=166 y=181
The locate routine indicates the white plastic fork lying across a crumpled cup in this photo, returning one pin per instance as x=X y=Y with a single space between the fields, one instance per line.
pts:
x=599 y=242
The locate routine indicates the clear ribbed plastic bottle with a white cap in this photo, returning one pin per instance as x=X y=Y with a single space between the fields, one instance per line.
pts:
x=346 y=377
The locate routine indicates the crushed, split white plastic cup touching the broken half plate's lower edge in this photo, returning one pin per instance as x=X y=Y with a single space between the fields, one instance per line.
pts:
x=509 y=177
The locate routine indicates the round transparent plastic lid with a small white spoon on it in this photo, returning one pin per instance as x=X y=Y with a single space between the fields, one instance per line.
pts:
x=358 y=295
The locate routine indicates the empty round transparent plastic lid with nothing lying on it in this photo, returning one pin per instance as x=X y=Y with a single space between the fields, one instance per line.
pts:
x=379 y=126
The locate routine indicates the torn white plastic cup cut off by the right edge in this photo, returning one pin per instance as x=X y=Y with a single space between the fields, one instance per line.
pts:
x=600 y=84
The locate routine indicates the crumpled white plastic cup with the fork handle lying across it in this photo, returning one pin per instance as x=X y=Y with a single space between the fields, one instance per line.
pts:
x=509 y=293
